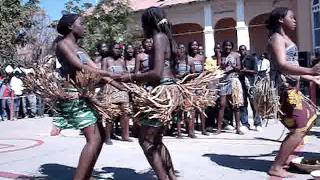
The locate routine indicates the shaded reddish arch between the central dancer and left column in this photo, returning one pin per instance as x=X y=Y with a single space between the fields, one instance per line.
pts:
x=187 y=32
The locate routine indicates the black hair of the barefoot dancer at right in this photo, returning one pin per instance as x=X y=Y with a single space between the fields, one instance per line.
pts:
x=273 y=23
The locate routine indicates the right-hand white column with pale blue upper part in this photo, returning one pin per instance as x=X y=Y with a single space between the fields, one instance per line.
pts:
x=242 y=29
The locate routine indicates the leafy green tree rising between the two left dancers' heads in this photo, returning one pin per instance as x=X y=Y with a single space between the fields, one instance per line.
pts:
x=104 y=23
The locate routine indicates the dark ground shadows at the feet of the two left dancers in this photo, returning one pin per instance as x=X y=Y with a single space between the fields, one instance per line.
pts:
x=62 y=172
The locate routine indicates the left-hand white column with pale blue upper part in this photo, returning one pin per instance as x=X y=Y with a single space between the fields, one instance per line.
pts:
x=208 y=30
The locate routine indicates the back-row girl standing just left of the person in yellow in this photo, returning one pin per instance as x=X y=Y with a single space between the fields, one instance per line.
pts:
x=196 y=62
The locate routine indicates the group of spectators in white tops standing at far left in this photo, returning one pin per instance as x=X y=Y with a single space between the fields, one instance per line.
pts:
x=16 y=101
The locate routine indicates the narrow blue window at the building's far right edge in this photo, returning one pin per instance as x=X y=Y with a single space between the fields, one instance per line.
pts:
x=316 y=24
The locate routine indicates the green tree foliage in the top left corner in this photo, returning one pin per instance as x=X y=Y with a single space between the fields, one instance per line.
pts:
x=15 y=20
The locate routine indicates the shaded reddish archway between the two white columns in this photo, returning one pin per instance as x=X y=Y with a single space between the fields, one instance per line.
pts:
x=225 y=30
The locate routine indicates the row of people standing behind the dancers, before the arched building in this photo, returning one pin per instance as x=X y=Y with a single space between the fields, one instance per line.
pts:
x=245 y=69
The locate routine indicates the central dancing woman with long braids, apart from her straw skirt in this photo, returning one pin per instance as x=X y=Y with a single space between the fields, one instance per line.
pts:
x=161 y=72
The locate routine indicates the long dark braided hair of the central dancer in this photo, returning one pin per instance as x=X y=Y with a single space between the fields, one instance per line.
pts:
x=155 y=18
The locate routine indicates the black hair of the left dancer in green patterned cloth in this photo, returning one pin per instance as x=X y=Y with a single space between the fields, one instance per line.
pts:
x=65 y=22
